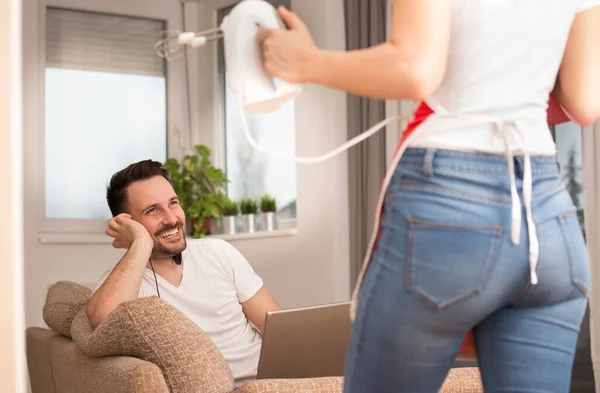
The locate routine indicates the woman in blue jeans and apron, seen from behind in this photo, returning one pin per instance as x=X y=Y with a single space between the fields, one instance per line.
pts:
x=477 y=231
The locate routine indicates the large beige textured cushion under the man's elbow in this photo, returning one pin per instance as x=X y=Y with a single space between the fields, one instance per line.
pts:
x=152 y=330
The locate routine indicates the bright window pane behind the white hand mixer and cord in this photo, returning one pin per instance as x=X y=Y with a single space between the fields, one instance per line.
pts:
x=252 y=173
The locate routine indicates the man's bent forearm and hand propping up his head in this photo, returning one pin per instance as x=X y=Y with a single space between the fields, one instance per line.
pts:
x=124 y=281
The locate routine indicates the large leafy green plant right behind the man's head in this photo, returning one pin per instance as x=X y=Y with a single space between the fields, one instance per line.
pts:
x=200 y=187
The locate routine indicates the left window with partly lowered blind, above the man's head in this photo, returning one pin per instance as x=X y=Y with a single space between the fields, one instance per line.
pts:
x=105 y=106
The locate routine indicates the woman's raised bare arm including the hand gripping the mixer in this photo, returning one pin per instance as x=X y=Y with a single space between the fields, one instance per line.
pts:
x=410 y=66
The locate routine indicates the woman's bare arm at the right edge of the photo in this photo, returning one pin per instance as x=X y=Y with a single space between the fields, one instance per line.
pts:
x=578 y=83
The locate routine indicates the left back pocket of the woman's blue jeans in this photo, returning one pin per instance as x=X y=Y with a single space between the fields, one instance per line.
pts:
x=448 y=263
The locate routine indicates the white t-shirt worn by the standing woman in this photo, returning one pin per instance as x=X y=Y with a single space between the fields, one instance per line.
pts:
x=503 y=62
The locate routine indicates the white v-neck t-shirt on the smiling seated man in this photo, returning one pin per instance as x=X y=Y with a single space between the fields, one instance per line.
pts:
x=216 y=279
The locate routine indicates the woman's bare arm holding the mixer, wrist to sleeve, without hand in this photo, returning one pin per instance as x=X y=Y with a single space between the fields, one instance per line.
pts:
x=411 y=65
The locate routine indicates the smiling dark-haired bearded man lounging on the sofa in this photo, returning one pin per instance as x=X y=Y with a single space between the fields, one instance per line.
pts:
x=209 y=281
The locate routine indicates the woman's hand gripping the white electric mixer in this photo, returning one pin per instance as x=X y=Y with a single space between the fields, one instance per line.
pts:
x=287 y=53
